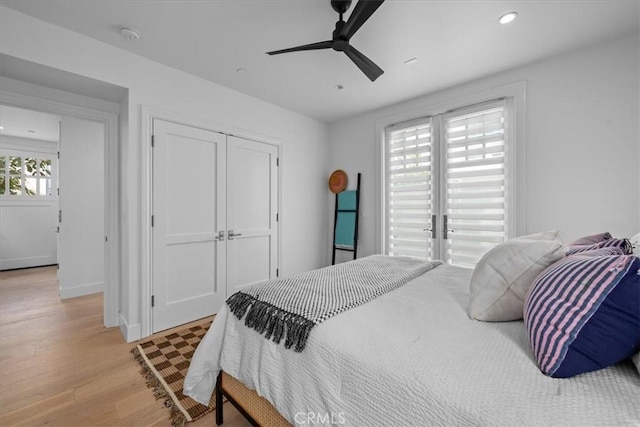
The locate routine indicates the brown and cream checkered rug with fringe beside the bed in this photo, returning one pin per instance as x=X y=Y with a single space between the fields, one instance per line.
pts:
x=164 y=363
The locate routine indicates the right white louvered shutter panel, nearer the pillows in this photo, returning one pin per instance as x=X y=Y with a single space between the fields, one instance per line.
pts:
x=474 y=181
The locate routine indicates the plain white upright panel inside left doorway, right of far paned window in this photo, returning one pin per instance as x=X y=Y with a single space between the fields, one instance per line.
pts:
x=81 y=217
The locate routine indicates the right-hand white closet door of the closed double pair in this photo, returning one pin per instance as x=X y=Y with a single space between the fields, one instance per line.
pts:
x=252 y=201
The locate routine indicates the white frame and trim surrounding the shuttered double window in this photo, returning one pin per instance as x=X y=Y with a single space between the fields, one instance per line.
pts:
x=442 y=104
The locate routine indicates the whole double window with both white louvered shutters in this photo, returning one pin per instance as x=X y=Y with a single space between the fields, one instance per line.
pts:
x=446 y=196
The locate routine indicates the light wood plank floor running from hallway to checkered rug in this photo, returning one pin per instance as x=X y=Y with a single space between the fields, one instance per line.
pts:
x=60 y=366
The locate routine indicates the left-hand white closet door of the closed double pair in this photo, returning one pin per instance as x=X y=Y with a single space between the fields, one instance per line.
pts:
x=189 y=260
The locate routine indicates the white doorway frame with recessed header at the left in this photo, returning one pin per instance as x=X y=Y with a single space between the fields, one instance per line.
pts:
x=41 y=93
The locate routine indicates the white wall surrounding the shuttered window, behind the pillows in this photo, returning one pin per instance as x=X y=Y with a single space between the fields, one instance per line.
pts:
x=581 y=139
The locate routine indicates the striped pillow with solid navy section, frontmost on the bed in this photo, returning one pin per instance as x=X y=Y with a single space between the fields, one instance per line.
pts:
x=583 y=314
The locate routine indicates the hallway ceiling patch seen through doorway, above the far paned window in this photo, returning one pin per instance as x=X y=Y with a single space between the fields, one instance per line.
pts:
x=29 y=124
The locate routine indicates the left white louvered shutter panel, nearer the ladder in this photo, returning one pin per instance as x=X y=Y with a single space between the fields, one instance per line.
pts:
x=409 y=168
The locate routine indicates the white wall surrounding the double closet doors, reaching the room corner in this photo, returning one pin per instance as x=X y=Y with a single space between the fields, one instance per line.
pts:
x=304 y=140
